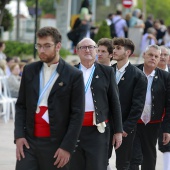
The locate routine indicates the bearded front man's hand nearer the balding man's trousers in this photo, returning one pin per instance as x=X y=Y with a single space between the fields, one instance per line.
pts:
x=62 y=157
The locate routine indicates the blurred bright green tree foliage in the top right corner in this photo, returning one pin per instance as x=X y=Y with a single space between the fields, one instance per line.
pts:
x=159 y=9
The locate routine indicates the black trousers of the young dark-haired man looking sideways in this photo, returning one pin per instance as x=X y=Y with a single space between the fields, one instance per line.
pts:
x=124 y=152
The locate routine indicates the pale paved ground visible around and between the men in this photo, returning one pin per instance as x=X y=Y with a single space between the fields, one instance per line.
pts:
x=7 y=147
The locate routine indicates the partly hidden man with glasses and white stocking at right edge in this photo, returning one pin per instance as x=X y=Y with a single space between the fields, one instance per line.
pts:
x=165 y=149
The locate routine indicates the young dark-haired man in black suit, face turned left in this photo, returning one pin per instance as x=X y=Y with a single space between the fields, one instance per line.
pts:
x=132 y=85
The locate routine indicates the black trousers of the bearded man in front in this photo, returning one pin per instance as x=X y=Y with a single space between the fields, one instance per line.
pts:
x=40 y=155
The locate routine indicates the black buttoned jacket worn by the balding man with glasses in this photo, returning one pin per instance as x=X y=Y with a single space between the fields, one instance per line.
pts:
x=105 y=96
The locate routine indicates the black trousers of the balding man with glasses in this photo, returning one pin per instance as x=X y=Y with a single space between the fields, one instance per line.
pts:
x=92 y=150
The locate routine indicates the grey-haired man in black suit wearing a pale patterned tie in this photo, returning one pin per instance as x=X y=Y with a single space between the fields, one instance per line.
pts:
x=157 y=101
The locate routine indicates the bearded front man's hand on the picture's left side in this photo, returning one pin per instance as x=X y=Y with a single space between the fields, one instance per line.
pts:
x=20 y=142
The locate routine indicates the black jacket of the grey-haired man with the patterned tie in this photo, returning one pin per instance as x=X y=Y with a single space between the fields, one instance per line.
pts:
x=160 y=91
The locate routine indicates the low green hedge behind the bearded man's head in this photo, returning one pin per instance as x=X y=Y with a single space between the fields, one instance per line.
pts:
x=23 y=50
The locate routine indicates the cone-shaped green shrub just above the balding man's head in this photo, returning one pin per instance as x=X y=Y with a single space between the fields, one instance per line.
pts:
x=103 y=32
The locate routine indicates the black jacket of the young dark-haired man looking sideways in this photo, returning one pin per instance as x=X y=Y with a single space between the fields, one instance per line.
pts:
x=132 y=92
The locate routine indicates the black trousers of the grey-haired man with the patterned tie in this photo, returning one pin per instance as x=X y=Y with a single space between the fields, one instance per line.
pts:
x=144 y=147
